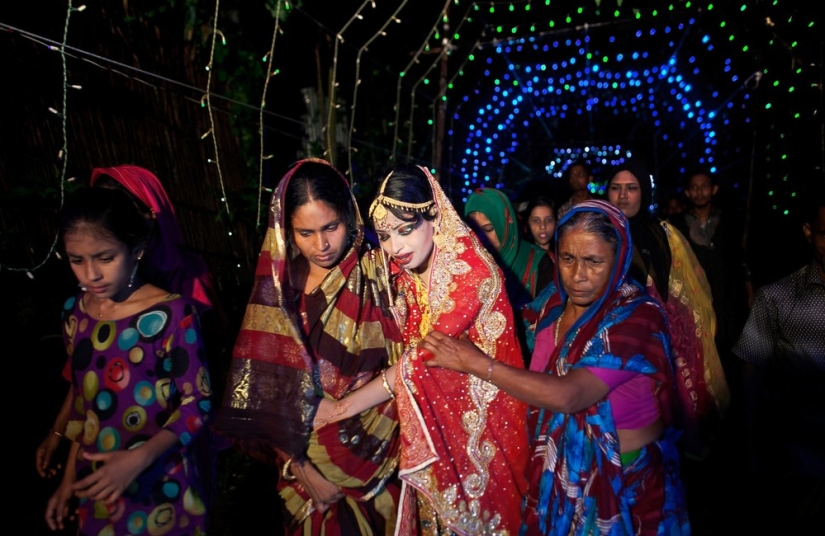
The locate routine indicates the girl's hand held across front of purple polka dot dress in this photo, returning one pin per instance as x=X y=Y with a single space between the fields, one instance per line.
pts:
x=116 y=471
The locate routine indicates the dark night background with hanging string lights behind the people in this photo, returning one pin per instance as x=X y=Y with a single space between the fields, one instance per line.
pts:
x=142 y=71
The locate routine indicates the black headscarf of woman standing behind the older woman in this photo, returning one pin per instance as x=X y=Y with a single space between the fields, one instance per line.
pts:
x=652 y=250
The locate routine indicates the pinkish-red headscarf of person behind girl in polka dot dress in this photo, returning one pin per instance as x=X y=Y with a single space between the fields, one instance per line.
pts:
x=166 y=261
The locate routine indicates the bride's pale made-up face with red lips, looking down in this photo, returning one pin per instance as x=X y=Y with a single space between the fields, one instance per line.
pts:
x=409 y=243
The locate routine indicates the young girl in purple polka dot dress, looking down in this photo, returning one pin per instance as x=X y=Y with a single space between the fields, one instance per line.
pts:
x=141 y=390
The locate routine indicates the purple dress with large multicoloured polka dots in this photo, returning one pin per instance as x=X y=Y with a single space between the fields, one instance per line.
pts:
x=131 y=379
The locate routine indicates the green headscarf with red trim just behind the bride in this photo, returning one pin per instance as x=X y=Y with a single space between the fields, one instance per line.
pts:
x=519 y=258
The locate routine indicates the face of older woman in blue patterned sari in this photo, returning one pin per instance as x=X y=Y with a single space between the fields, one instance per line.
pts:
x=585 y=263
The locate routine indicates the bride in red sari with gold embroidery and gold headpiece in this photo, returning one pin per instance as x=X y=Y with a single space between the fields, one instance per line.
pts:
x=463 y=441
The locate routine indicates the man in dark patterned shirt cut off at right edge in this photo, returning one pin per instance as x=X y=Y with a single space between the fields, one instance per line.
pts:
x=783 y=347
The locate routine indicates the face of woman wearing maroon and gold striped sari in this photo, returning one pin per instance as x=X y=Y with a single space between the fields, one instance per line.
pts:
x=320 y=234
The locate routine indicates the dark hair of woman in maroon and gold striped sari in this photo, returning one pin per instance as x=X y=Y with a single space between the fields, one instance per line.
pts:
x=314 y=181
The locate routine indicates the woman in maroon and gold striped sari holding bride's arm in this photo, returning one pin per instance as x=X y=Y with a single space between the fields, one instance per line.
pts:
x=316 y=327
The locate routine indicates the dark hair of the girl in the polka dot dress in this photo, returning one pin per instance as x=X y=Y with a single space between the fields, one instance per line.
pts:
x=111 y=211
